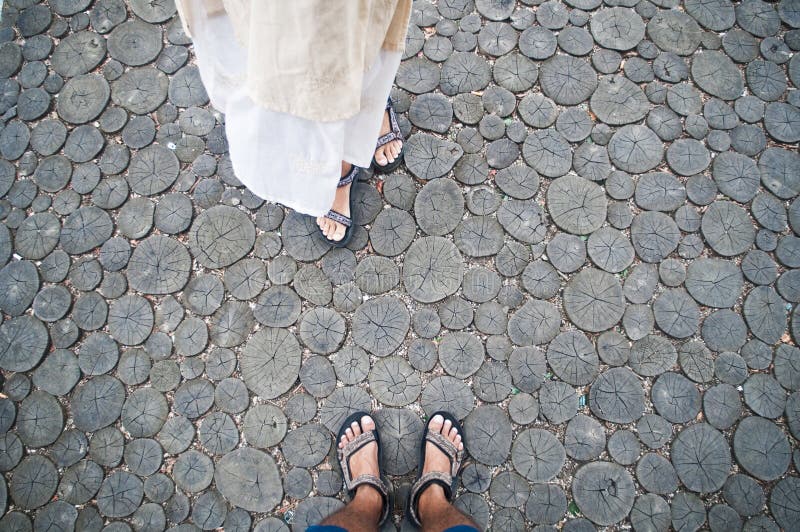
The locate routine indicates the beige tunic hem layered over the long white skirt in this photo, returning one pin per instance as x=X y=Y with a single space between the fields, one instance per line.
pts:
x=308 y=57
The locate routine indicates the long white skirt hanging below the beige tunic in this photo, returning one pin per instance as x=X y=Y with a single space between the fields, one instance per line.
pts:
x=281 y=157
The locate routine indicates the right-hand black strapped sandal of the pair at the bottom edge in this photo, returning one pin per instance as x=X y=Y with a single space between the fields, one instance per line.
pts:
x=448 y=481
